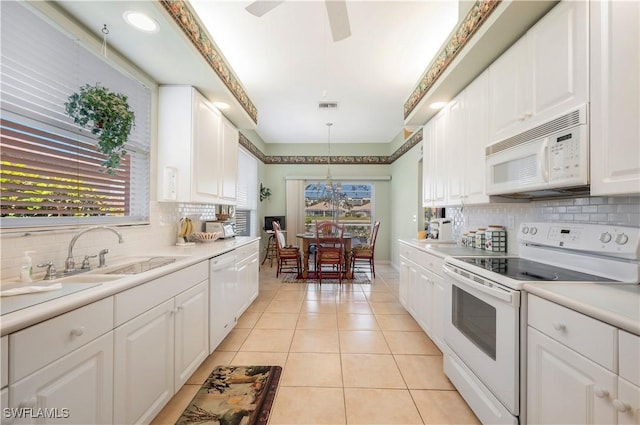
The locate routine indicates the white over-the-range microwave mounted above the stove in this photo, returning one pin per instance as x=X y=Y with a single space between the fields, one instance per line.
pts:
x=551 y=159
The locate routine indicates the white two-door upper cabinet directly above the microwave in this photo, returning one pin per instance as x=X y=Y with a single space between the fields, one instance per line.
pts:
x=543 y=75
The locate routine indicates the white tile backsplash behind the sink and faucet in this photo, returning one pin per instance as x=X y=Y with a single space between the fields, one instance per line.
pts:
x=52 y=245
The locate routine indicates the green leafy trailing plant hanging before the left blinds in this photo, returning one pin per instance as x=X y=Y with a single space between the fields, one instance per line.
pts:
x=107 y=115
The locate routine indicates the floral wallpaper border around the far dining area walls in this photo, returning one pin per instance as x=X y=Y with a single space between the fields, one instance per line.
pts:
x=345 y=160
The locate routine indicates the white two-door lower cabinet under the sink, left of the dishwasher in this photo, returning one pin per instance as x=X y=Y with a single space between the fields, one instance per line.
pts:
x=157 y=349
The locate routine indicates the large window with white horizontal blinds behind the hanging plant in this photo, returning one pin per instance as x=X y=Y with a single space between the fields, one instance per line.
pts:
x=51 y=173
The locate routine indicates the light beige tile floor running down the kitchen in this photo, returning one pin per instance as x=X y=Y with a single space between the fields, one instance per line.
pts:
x=350 y=354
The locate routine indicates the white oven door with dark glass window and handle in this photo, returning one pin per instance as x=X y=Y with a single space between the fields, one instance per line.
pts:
x=482 y=322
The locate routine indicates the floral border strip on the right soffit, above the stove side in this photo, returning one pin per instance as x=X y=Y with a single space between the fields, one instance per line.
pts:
x=477 y=16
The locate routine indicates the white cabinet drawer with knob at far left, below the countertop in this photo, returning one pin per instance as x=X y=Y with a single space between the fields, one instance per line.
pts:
x=36 y=346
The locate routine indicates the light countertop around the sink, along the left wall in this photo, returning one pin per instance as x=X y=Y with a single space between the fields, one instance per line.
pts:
x=34 y=308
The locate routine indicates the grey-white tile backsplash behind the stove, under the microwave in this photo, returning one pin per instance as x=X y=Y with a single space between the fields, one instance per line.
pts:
x=623 y=211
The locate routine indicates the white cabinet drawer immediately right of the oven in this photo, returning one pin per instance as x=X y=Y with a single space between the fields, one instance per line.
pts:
x=590 y=337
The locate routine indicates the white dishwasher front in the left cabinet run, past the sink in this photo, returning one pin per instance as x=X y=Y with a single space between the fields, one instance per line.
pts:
x=223 y=301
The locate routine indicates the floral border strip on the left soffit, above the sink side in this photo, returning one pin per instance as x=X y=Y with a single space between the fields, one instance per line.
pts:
x=188 y=22
